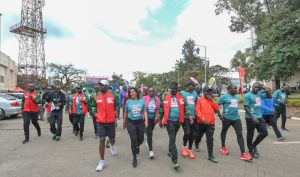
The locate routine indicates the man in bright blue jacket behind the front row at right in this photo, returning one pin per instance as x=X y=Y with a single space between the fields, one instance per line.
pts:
x=269 y=113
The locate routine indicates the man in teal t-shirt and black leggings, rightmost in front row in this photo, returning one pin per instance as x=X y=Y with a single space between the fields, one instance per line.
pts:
x=254 y=119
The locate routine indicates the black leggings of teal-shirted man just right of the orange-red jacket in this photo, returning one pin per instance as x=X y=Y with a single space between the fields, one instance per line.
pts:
x=237 y=125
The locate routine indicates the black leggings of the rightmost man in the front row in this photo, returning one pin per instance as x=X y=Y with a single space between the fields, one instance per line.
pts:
x=261 y=129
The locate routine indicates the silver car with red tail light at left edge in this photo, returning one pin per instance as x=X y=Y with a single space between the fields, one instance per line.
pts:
x=9 y=106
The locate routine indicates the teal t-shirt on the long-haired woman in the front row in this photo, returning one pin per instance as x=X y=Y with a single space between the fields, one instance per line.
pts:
x=135 y=108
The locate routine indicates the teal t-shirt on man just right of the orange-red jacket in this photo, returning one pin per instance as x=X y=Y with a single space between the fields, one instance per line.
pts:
x=230 y=104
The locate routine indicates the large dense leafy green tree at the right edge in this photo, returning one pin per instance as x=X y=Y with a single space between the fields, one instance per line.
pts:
x=280 y=35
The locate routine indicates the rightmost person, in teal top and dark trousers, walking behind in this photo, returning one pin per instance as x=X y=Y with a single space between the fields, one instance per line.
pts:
x=280 y=104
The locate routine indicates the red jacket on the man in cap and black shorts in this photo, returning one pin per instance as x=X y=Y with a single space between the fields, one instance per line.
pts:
x=105 y=108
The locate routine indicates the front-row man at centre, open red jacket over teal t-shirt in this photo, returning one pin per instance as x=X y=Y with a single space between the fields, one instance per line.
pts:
x=172 y=113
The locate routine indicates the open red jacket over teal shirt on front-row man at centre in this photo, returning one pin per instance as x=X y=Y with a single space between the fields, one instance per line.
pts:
x=167 y=105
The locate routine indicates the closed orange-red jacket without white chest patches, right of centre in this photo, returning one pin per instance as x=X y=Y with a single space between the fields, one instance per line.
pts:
x=205 y=110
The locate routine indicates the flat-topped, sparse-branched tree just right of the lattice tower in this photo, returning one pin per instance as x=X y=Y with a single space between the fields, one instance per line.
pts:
x=66 y=75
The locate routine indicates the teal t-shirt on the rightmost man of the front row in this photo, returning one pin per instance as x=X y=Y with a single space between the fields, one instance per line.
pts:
x=253 y=101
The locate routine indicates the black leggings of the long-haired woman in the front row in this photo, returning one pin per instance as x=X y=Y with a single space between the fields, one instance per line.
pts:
x=136 y=132
